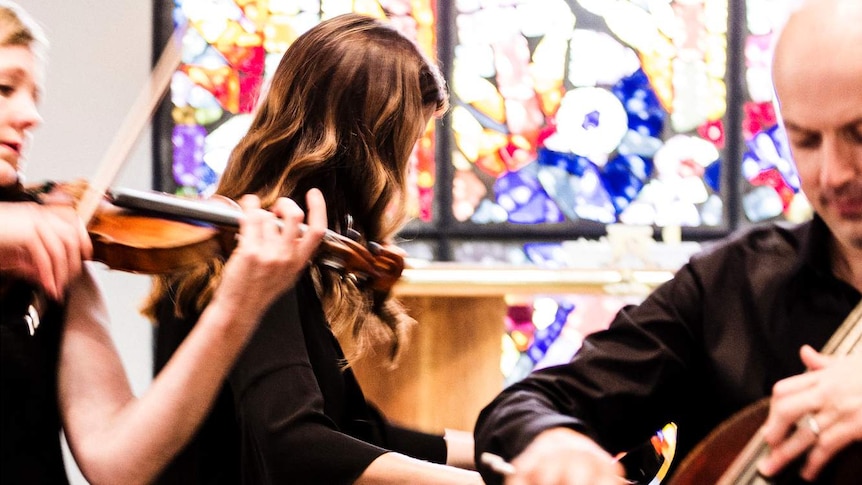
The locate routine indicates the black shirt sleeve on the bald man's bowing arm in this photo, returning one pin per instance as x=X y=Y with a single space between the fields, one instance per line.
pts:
x=638 y=363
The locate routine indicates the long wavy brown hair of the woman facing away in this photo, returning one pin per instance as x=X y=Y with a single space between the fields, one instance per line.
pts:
x=345 y=107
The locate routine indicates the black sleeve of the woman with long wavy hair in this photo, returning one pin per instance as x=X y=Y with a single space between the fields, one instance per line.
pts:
x=286 y=436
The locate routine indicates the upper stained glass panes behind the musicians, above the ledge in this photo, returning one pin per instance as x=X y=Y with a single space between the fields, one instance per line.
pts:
x=606 y=111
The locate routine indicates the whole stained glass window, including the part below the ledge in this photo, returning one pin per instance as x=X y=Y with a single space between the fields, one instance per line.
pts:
x=567 y=116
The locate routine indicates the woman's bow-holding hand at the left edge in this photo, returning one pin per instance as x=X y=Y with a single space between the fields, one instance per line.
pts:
x=43 y=244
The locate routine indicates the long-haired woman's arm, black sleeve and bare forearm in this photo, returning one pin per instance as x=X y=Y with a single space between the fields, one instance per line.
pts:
x=303 y=419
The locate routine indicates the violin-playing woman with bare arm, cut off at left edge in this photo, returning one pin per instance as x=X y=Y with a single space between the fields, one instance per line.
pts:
x=59 y=367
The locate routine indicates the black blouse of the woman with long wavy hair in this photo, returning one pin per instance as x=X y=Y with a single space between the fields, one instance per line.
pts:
x=290 y=413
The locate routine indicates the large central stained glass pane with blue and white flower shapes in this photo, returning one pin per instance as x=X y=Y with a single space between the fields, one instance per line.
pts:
x=616 y=108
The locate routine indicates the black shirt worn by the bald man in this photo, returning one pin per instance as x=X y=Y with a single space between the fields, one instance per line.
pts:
x=701 y=347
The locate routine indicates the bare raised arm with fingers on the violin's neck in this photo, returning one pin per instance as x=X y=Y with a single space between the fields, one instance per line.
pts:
x=116 y=438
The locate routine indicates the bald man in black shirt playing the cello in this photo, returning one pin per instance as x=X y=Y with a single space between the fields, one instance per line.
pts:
x=742 y=321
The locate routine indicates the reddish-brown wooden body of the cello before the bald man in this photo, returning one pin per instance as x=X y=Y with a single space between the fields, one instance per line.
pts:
x=708 y=462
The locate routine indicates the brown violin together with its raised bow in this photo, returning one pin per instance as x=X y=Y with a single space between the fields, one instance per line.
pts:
x=157 y=240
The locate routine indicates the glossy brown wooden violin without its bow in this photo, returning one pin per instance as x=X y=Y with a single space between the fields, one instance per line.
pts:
x=152 y=232
